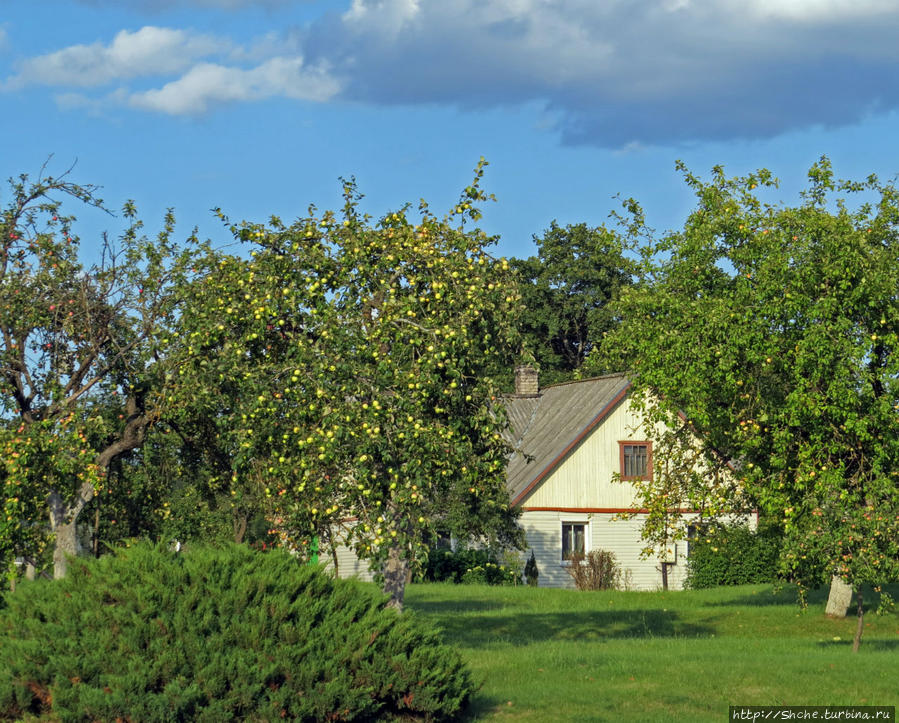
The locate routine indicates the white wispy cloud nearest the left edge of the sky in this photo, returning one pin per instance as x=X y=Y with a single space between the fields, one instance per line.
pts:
x=148 y=51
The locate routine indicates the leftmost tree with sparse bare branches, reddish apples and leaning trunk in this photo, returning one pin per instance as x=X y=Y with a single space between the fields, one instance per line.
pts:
x=83 y=369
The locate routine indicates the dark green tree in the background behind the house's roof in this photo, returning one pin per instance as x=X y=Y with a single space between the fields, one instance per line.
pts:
x=566 y=292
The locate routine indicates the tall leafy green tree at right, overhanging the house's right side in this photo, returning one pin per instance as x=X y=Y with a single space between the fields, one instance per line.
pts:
x=774 y=329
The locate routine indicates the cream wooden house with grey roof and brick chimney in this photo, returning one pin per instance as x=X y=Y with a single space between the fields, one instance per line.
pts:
x=570 y=440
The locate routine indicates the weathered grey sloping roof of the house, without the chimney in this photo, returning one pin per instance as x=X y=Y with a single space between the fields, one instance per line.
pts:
x=546 y=428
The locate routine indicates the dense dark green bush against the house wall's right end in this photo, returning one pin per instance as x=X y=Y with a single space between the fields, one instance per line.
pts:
x=733 y=555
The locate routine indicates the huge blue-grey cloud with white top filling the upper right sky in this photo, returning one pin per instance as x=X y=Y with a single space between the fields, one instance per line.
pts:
x=616 y=73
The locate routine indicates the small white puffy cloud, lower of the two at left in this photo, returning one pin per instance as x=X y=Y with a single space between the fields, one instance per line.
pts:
x=209 y=84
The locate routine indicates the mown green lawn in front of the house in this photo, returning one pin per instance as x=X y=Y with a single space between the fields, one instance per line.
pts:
x=563 y=655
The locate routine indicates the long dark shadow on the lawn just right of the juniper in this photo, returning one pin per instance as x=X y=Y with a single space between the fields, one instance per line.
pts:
x=527 y=628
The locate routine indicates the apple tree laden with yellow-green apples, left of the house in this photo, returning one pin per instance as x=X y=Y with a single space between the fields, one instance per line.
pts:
x=358 y=358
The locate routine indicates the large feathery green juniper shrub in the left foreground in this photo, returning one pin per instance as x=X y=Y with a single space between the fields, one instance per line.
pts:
x=218 y=634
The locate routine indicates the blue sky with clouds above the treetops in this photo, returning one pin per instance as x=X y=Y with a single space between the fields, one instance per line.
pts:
x=261 y=107
